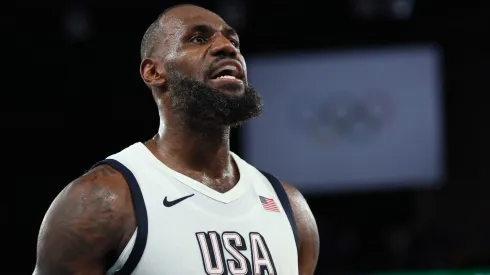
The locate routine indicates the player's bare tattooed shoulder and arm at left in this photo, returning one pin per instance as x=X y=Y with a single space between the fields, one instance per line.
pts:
x=90 y=218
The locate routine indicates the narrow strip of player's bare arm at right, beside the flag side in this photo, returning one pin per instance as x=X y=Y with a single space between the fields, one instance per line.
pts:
x=309 y=241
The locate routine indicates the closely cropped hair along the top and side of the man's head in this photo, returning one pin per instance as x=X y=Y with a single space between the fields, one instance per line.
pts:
x=156 y=30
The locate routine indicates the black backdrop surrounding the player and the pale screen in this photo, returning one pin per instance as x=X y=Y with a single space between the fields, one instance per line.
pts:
x=79 y=98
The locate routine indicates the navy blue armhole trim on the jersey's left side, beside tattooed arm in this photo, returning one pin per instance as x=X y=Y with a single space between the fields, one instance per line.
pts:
x=141 y=216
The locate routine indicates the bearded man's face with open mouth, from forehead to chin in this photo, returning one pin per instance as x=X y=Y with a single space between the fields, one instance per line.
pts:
x=206 y=73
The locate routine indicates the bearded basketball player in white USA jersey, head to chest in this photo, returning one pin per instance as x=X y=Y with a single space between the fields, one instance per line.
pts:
x=182 y=203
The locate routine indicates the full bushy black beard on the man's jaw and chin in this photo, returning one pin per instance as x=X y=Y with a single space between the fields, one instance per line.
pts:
x=200 y=107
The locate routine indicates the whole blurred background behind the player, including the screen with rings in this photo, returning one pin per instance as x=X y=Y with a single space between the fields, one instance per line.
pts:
x=374 y=109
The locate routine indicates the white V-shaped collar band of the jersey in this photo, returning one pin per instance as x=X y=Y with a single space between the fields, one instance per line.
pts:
x=226 y=197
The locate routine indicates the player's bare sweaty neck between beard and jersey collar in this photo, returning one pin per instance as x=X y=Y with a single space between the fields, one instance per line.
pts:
x=205 y=151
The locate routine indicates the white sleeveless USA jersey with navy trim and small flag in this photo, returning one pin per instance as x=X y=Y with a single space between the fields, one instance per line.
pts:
x=185 y=227
